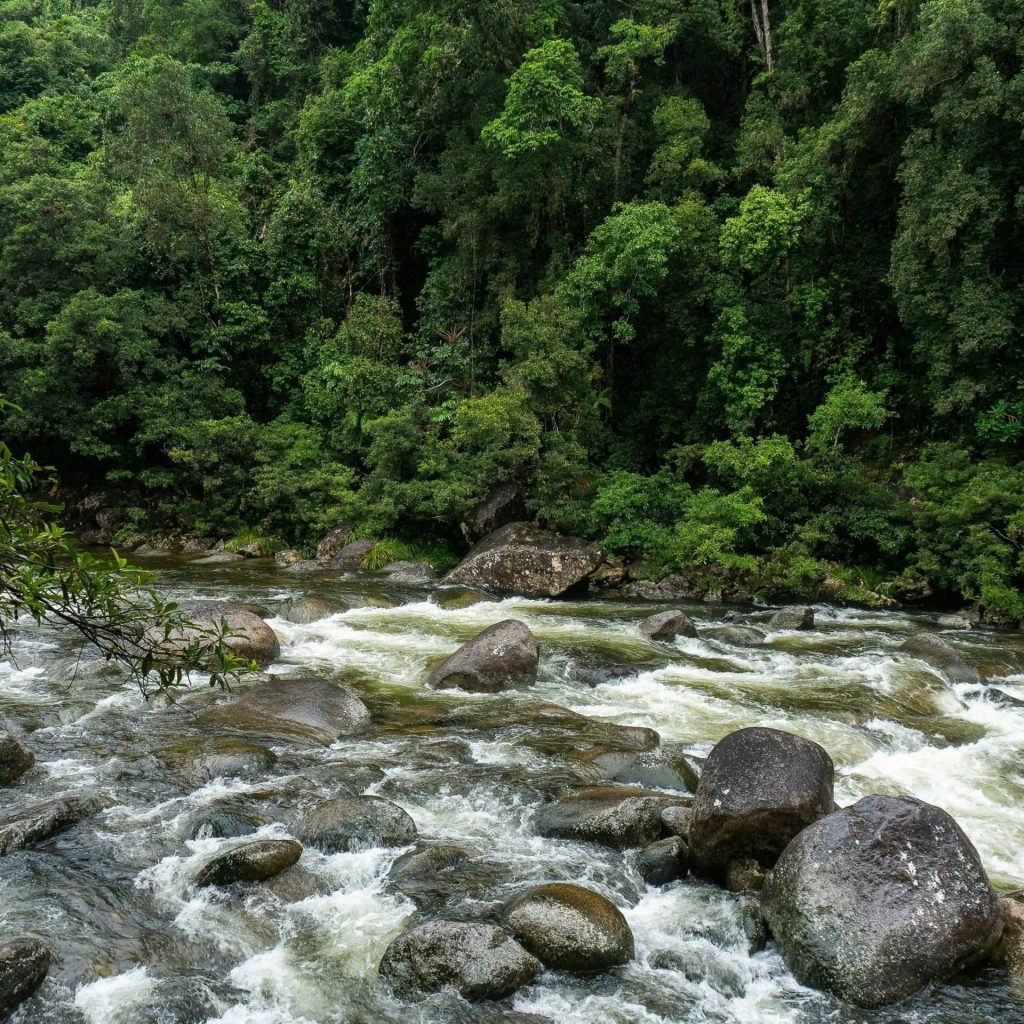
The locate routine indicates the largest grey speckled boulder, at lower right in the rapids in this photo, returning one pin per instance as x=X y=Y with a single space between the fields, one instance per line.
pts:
x=879 y=900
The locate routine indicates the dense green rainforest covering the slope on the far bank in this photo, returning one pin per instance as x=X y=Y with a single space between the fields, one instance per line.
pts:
x=735 y=288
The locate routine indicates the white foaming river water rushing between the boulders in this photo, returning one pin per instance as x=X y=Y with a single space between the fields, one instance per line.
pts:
x=136 y=943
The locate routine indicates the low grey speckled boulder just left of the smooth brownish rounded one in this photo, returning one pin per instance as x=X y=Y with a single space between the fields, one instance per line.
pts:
x=481 y=962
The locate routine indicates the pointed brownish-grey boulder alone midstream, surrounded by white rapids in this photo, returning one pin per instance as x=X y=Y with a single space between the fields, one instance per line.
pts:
x=503 y=657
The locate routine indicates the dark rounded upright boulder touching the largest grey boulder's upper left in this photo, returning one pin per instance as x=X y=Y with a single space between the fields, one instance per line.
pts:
x=758 y=790
